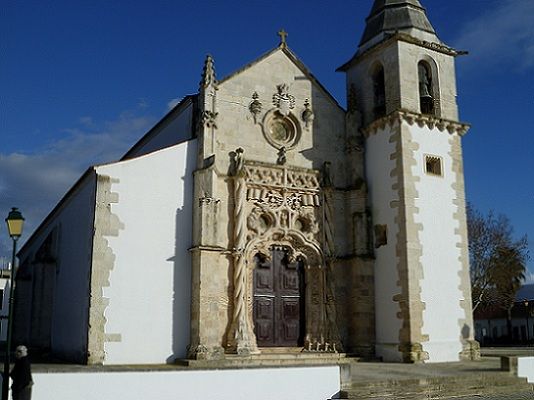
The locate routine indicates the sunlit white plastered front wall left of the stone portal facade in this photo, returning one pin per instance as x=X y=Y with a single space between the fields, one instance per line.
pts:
x=147 y=319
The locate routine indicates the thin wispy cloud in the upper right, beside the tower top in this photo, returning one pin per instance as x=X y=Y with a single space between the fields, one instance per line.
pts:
x=501 y=36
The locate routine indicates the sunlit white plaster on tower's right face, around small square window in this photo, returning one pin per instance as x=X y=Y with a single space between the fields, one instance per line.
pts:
x=440 y=286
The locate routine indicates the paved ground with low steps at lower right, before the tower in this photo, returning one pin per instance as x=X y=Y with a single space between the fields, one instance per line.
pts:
x=482 y=379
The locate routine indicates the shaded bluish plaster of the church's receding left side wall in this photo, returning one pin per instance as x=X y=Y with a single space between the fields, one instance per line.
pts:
x=73 y=222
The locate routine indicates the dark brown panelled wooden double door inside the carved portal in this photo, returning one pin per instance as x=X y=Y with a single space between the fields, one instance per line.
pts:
x=279 y=300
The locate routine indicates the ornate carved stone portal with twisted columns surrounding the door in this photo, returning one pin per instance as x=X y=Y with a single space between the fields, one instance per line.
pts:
x=283 y=207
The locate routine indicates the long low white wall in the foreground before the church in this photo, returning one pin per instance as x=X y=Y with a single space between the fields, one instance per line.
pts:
x=312 y=383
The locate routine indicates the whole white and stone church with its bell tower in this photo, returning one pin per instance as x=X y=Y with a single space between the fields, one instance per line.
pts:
x=260 y=216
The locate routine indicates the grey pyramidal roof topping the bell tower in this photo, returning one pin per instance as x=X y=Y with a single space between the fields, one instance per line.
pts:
x=390 y=16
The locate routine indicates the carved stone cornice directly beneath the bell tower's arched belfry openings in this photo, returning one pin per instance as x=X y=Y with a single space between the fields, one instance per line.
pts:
x=421 y=120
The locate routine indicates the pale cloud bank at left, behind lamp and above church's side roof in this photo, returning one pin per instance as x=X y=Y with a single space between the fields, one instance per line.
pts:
x=34 y=182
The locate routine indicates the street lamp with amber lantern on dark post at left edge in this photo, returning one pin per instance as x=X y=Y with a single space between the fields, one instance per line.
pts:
x=15 y=222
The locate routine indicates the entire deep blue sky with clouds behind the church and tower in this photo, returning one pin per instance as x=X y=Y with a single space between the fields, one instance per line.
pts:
x=81 y=81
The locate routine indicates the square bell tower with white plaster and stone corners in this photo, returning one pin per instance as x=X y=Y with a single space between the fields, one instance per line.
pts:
x=403 y=79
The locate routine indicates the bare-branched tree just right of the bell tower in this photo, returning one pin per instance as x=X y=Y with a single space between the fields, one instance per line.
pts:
x=497 y=261
